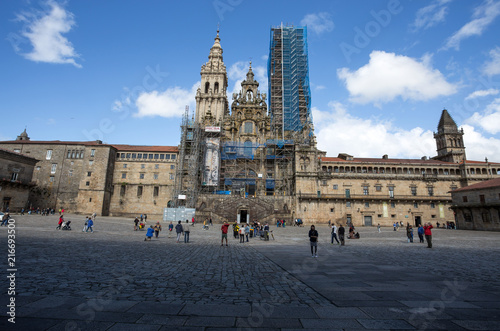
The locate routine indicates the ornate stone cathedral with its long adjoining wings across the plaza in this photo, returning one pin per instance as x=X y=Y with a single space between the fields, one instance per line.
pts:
x=233 y=164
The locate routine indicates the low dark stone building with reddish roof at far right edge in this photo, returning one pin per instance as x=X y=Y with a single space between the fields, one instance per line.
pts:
x=477 y=206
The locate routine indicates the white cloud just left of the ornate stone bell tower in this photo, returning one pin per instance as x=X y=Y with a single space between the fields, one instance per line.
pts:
x=169 y=103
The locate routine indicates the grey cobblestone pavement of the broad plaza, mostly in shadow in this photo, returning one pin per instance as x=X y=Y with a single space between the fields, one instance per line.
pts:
x=113 y=280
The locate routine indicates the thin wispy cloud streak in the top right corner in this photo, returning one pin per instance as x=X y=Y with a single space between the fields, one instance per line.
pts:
x=483 y=16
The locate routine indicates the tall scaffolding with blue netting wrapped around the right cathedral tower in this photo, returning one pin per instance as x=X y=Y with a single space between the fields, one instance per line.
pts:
x=288 y=80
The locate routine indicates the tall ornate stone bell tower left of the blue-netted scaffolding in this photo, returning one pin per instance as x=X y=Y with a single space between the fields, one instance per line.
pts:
x=211 y=98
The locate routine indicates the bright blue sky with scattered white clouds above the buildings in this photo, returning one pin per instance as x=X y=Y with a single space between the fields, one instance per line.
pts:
x=381 y=71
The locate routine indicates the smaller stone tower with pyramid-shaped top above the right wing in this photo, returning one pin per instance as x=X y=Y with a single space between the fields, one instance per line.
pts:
x=449 y=140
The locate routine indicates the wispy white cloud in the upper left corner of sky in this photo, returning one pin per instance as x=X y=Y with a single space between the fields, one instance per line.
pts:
x=45 y=33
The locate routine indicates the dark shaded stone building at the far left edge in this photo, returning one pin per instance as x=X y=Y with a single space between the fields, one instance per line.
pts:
x=16 y=173
